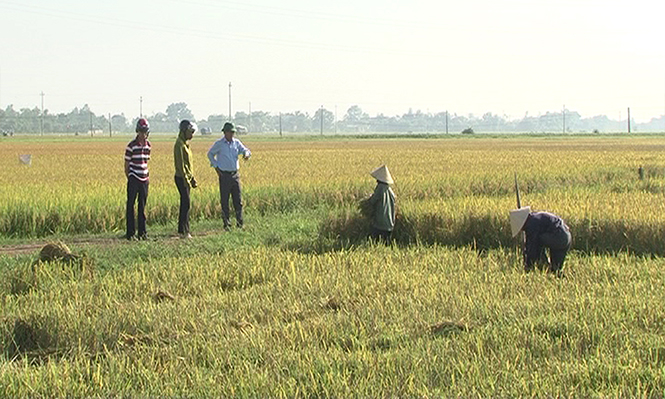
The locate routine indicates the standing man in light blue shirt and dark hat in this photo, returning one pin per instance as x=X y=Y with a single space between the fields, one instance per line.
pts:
x=223 y=156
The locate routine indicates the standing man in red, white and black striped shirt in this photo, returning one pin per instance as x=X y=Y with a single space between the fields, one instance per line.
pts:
x=137 y=155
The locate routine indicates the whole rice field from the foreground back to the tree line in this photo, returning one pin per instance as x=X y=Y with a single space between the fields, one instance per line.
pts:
x=300 y=304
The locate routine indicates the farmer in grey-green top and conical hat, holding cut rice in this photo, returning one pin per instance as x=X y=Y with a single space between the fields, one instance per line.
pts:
x=382 y=205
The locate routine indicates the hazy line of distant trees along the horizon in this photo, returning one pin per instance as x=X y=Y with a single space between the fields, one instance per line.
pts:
x=84 y=121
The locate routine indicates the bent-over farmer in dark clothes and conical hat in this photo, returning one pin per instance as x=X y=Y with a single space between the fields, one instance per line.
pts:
x=543 y=230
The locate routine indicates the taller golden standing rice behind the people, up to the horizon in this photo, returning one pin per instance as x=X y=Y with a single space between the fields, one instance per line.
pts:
x=450 y=191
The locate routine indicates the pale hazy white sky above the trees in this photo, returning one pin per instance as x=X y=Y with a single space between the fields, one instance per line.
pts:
x=510 y=58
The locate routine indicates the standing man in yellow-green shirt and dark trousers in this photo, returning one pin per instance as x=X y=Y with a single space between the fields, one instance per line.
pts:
x=184 y=178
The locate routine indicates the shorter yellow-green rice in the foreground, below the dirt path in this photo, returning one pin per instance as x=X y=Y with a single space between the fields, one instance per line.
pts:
x=368 y=321
